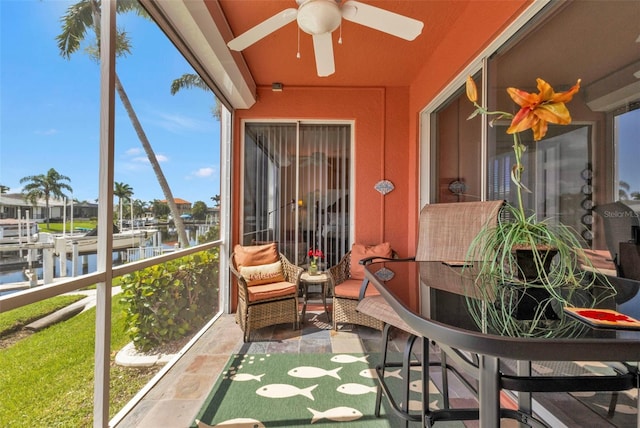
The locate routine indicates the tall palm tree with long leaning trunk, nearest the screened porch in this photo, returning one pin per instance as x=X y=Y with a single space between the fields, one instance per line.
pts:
x=78 y=19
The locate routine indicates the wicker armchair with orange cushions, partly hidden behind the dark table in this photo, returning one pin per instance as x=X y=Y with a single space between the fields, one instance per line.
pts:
x=346 y=290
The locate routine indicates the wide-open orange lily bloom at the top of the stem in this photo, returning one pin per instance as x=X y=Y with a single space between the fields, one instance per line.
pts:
x=539 y=109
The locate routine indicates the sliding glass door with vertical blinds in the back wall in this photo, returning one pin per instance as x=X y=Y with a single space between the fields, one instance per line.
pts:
x=296 y=188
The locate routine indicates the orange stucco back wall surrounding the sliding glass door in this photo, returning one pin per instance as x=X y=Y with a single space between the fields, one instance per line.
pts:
x=380 y=117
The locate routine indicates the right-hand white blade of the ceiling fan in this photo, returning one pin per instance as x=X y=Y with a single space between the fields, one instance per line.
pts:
x=382 y=20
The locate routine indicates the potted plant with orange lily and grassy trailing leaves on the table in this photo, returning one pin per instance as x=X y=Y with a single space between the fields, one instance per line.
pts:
x=529 y=269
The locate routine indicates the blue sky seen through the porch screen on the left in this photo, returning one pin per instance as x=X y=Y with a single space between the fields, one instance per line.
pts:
x=49 y=109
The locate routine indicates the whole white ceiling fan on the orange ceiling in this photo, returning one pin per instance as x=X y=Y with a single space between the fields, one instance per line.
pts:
x=321 y=17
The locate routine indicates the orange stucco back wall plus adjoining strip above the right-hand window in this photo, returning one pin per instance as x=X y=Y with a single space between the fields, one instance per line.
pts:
x=386 y=122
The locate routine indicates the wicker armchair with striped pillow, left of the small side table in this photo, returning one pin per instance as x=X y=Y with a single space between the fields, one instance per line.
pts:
x=267 y=287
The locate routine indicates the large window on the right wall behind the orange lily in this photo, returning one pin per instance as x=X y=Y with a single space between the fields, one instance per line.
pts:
x=576 y=166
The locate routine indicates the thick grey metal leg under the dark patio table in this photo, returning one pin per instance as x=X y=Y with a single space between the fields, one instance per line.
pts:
x=489 y=392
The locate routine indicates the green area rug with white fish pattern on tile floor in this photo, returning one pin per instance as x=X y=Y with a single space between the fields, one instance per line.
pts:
x=296 y=390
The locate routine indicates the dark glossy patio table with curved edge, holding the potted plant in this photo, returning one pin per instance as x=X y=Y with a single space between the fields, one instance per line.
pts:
x=429 y=297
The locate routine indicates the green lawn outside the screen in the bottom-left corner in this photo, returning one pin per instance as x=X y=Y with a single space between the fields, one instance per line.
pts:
x=47 y=378
